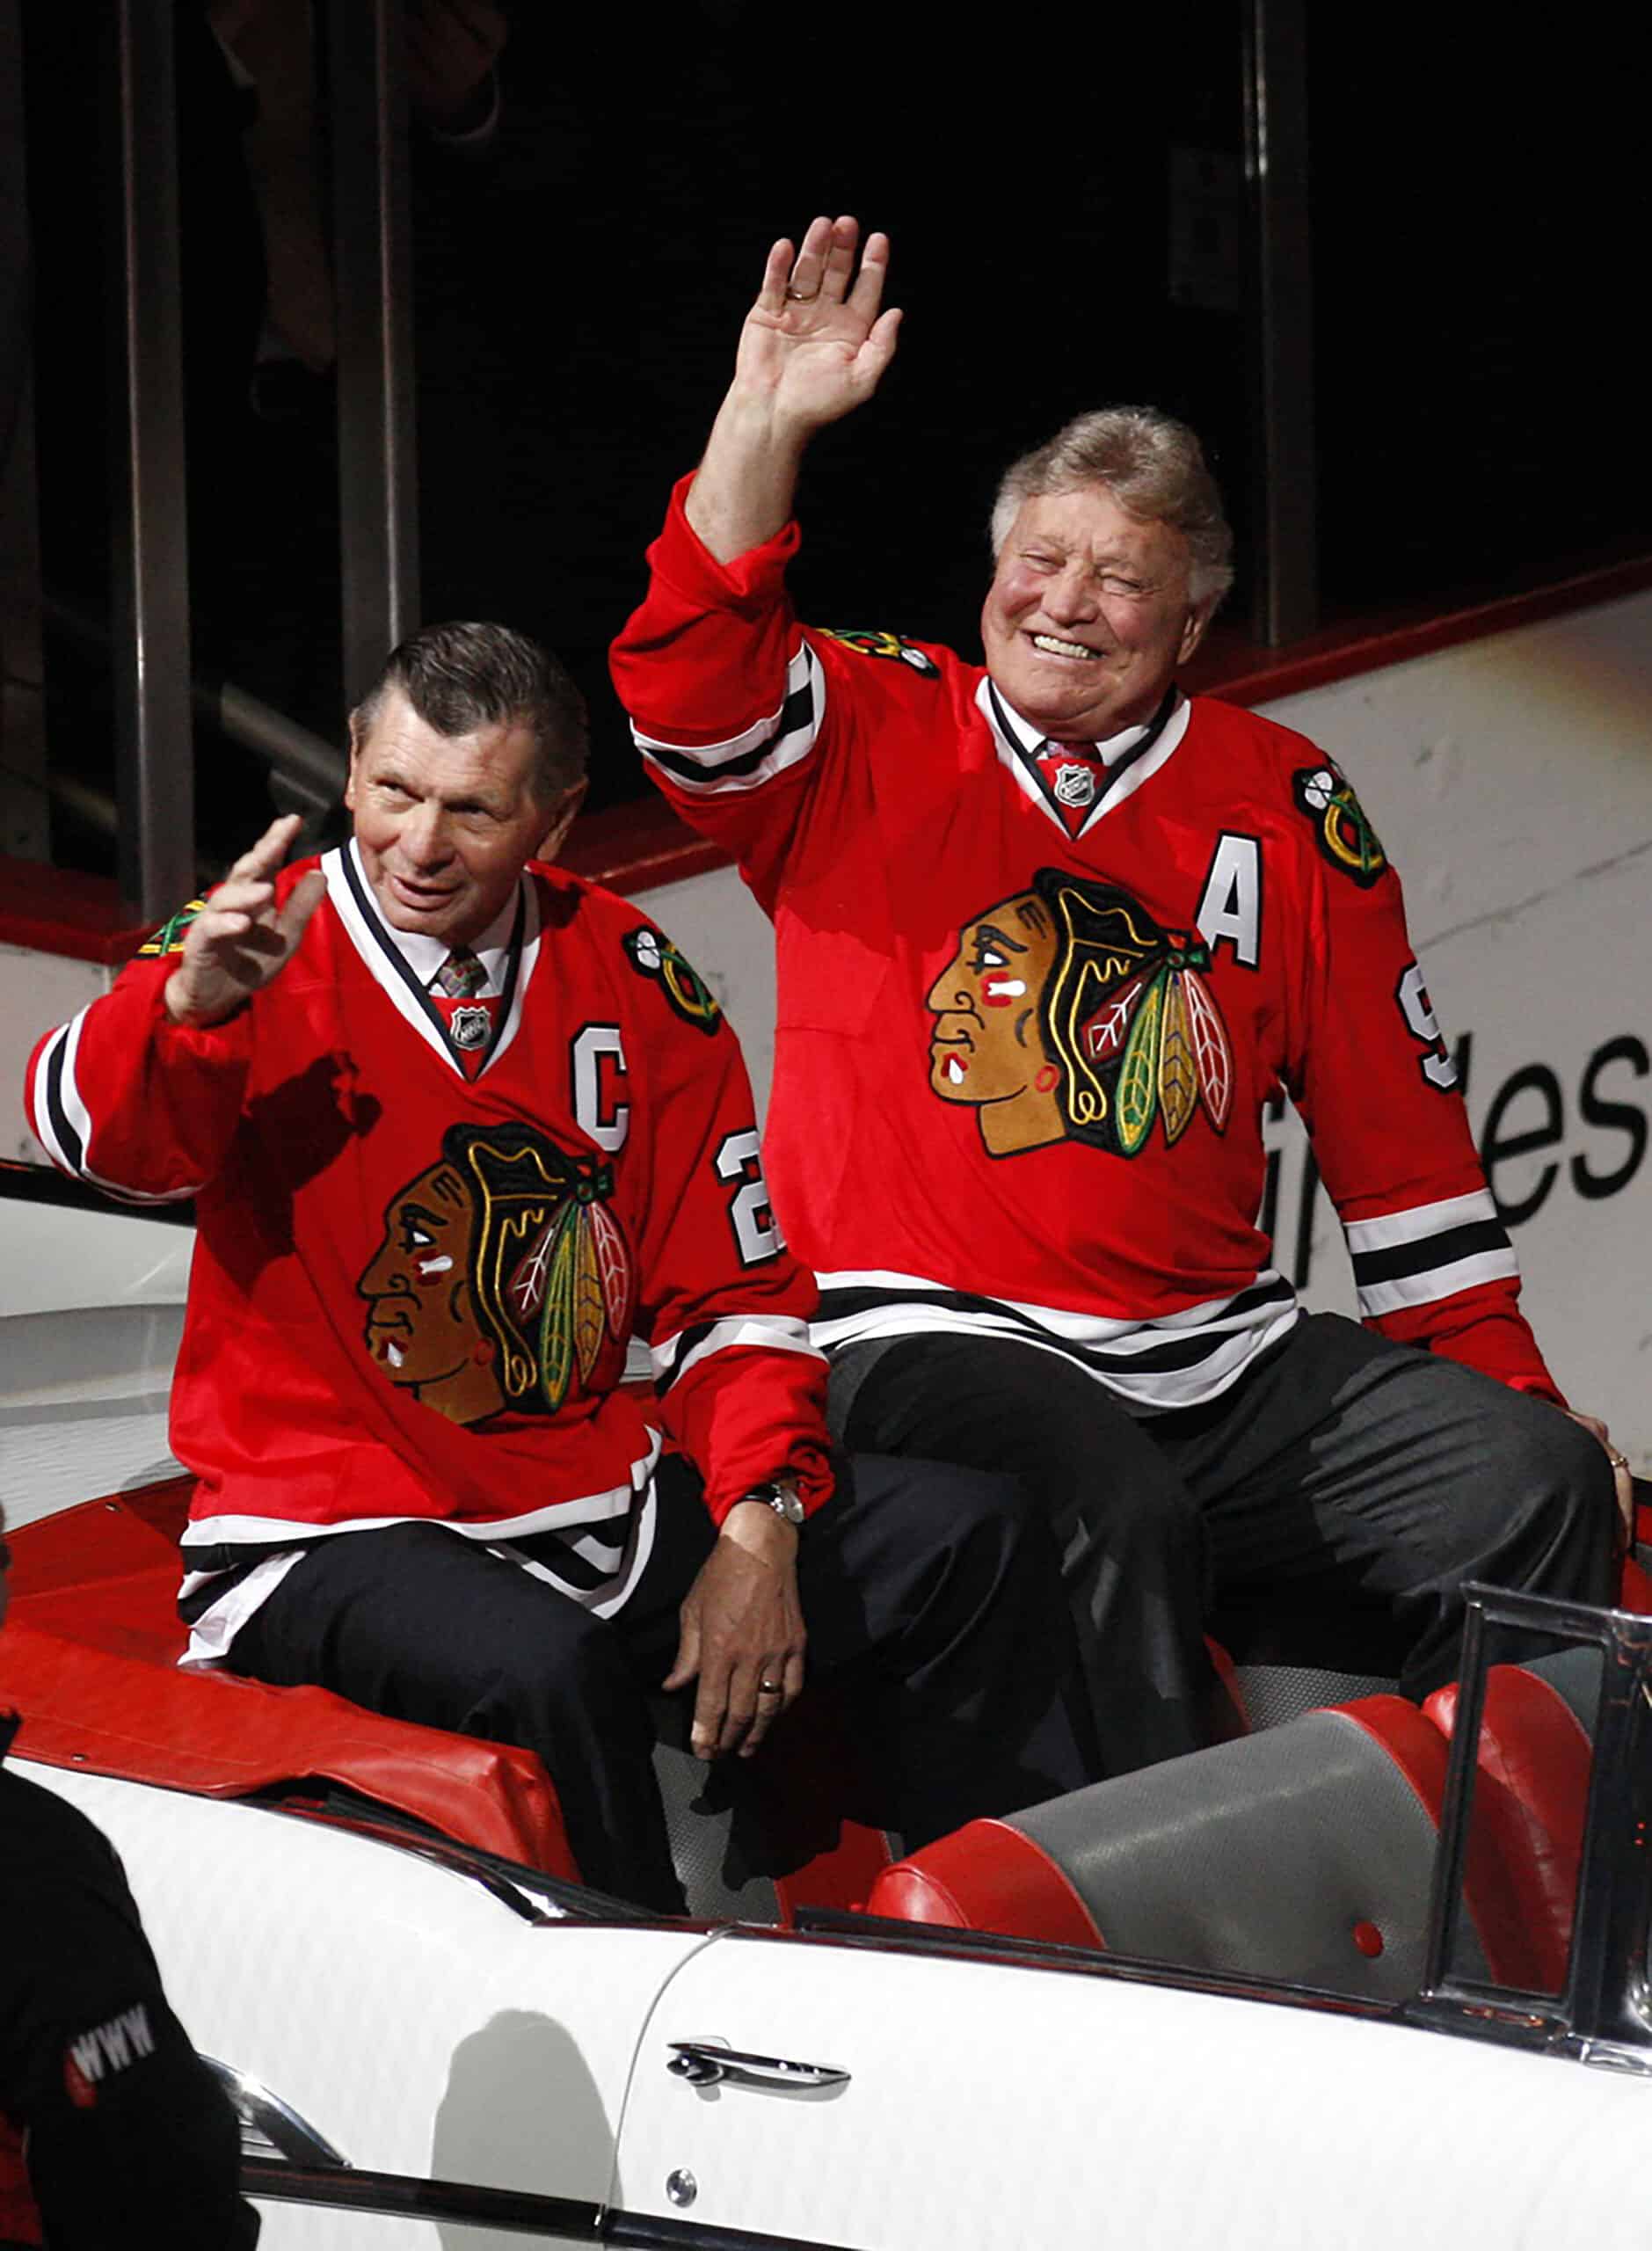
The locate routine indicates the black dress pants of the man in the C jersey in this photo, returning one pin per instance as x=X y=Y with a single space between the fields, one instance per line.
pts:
x=933 y=1590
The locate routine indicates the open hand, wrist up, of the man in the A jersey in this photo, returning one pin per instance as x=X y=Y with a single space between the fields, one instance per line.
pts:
x=818 y=341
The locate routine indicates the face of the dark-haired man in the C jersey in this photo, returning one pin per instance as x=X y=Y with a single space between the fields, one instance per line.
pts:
x=447 y=823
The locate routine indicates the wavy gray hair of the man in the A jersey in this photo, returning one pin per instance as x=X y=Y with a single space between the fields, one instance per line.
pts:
x=1151 y=465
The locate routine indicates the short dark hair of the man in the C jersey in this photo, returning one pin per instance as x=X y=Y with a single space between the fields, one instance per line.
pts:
x=469 y=676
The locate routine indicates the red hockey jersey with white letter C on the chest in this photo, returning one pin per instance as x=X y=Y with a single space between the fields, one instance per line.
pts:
x=415 y=1280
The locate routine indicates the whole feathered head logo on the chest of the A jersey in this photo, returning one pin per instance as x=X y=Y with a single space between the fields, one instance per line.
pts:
x=1068 y=1014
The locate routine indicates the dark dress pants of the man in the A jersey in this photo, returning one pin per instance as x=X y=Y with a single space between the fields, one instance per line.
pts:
x=1349 y=1482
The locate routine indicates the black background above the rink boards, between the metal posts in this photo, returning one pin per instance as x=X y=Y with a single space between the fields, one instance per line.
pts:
x=580 y=294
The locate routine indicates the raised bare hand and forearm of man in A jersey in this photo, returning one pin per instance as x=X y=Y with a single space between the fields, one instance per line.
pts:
x=814 y=348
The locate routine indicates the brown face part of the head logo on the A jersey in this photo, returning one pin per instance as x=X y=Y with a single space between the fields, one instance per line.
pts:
x=987 y=1048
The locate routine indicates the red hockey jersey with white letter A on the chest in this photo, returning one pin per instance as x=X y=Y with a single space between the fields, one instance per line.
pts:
x=1034 y=1001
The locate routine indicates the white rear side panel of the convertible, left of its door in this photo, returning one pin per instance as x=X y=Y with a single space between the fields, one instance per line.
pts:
x=420 y=2052
